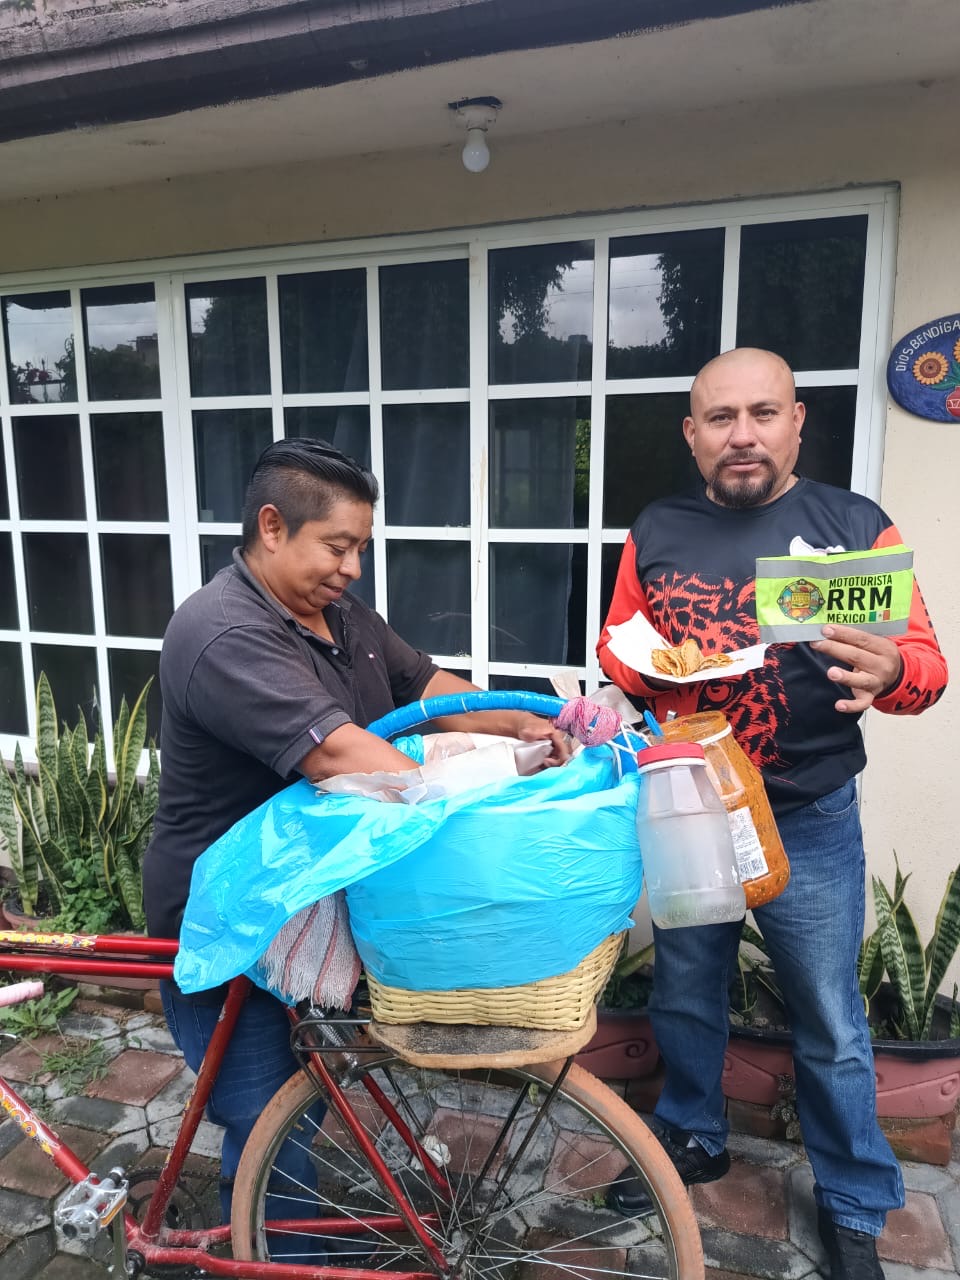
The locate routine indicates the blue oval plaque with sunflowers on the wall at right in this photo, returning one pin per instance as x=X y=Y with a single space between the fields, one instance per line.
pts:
x=924 y=372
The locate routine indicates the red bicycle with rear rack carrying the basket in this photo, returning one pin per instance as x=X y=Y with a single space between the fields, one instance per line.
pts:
x=479 y=1153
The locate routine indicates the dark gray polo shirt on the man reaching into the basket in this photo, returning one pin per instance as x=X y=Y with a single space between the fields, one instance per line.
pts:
x=248 y=693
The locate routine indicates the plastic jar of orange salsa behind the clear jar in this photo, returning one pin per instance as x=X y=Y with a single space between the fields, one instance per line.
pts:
x=762 y=860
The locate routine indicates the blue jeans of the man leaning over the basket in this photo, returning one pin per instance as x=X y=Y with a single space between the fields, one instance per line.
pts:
x=258 y=1062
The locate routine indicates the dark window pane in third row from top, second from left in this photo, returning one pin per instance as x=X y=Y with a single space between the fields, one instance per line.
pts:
x=138 y=586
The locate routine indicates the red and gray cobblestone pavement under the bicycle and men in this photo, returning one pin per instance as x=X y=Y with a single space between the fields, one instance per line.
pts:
x=758 y=1222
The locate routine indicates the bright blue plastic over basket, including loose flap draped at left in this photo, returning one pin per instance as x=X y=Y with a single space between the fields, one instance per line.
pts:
x=500 y=886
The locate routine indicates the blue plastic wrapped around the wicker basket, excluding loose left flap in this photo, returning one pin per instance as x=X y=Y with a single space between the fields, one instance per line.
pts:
x=520 y=885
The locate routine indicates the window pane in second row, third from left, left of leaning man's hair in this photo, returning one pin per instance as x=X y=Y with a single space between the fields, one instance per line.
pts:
x=228 y=444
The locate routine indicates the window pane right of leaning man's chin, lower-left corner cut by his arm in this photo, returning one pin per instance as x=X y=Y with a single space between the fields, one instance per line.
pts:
x=428 y=595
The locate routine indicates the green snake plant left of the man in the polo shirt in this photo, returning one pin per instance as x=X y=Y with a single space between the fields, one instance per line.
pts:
x=75 y=835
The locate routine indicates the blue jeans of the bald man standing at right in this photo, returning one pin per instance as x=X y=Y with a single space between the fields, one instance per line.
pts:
x=813 y=934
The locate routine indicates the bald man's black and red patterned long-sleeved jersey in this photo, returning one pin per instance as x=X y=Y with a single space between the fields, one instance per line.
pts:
x=689 y=566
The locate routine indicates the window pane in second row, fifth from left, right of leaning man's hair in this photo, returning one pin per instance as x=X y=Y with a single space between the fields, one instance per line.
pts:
x=427 y=464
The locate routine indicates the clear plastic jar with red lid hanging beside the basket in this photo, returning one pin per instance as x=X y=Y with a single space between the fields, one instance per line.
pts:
x=691 y=870
